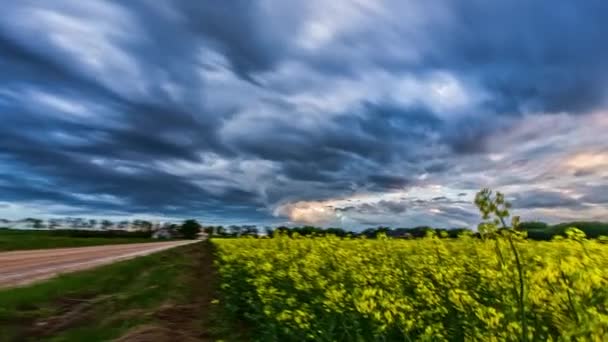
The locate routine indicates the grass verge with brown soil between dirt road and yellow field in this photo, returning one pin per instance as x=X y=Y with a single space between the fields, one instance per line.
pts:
x=159 y=297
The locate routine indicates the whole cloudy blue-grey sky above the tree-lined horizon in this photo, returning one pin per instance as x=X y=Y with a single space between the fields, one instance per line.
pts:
x=352 y=113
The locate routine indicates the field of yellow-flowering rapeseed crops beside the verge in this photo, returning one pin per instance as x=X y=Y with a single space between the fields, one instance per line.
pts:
x=431 y=289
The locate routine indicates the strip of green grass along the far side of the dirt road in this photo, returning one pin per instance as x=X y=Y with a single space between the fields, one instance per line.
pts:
x=11 y=240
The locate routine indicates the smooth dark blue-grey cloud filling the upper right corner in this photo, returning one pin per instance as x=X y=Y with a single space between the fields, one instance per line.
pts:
x=551 y=60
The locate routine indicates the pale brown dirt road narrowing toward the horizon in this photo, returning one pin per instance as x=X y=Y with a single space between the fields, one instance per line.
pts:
x=24 y=267
